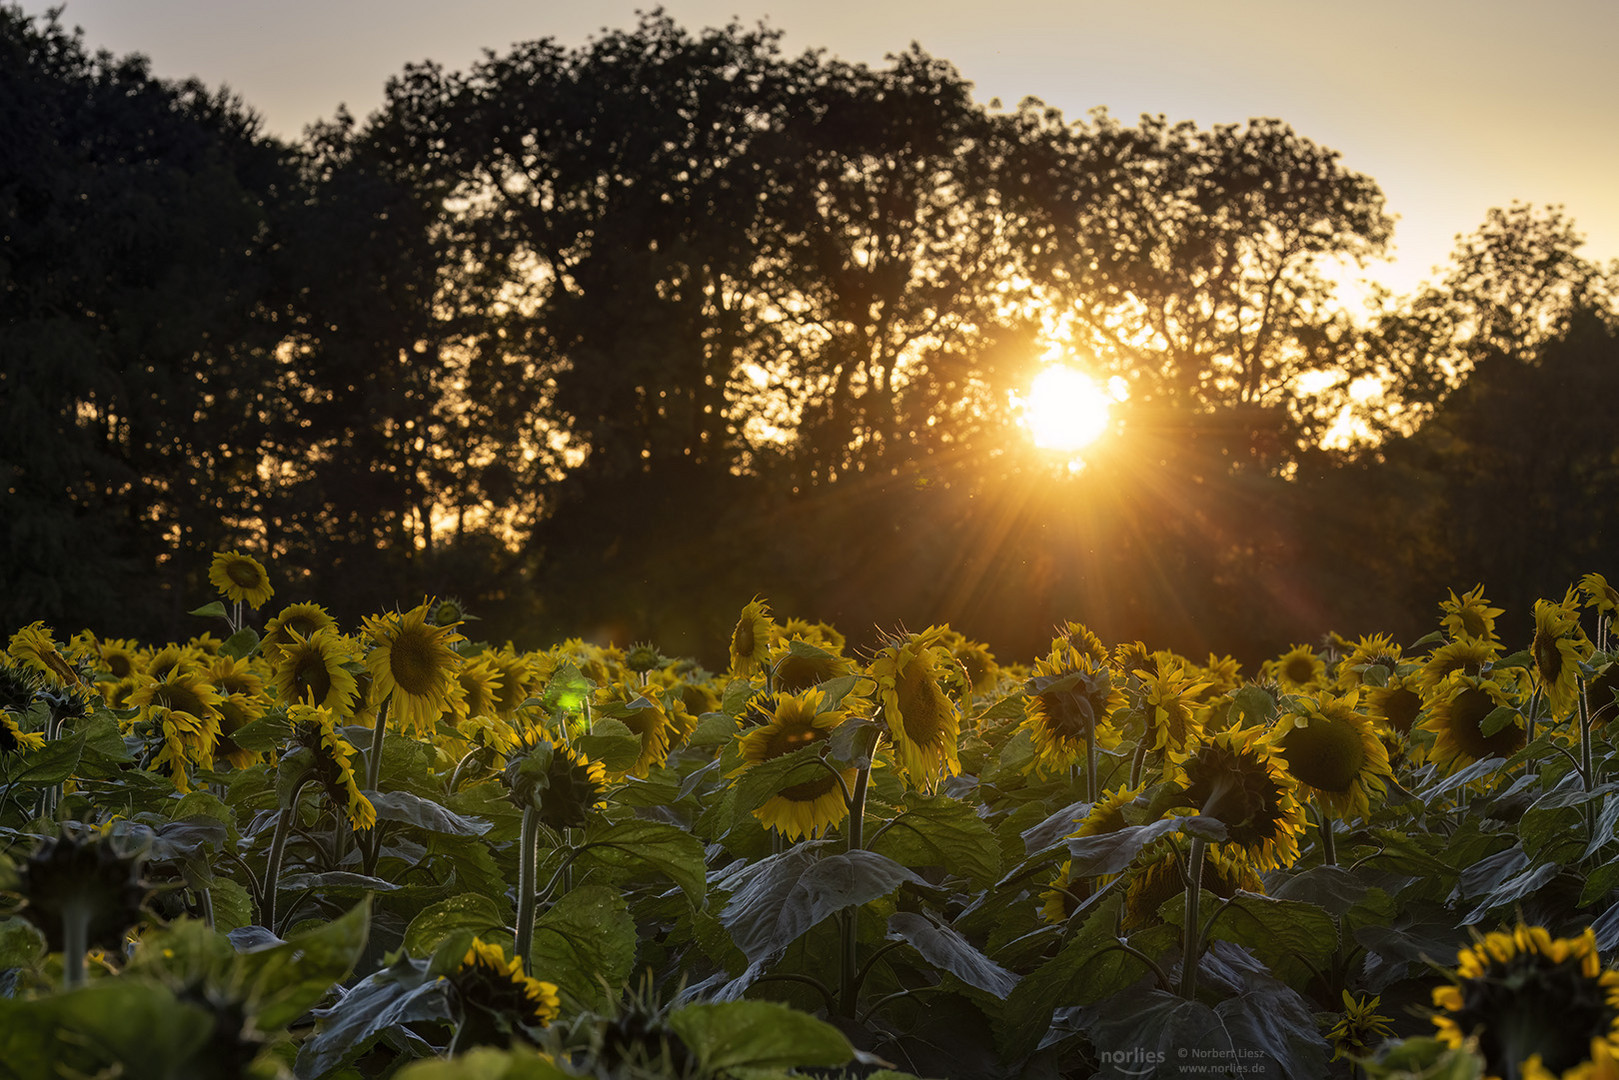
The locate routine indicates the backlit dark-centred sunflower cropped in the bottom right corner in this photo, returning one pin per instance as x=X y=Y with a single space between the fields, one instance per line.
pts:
x=1531 y=998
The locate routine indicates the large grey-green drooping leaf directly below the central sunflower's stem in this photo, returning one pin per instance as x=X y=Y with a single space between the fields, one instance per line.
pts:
x=778 y=899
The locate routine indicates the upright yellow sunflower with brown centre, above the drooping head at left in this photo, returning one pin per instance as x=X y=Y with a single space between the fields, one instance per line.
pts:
x=414 y=666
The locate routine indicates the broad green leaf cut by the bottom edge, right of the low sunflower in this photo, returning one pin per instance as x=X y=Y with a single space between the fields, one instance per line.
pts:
x=759 y=1035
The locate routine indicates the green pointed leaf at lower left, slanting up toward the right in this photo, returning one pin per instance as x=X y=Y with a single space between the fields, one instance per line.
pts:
x=291 y=979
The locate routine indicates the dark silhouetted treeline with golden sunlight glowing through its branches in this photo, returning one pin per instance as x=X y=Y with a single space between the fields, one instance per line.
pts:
x=608 y=341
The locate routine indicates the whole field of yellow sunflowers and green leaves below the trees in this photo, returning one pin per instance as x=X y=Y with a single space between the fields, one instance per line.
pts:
x=295 y=849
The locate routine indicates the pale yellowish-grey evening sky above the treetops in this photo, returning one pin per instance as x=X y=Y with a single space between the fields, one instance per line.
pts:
x=1451 y=106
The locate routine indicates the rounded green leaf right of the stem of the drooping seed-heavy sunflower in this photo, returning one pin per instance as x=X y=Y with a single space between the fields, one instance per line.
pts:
x=585 y=940
